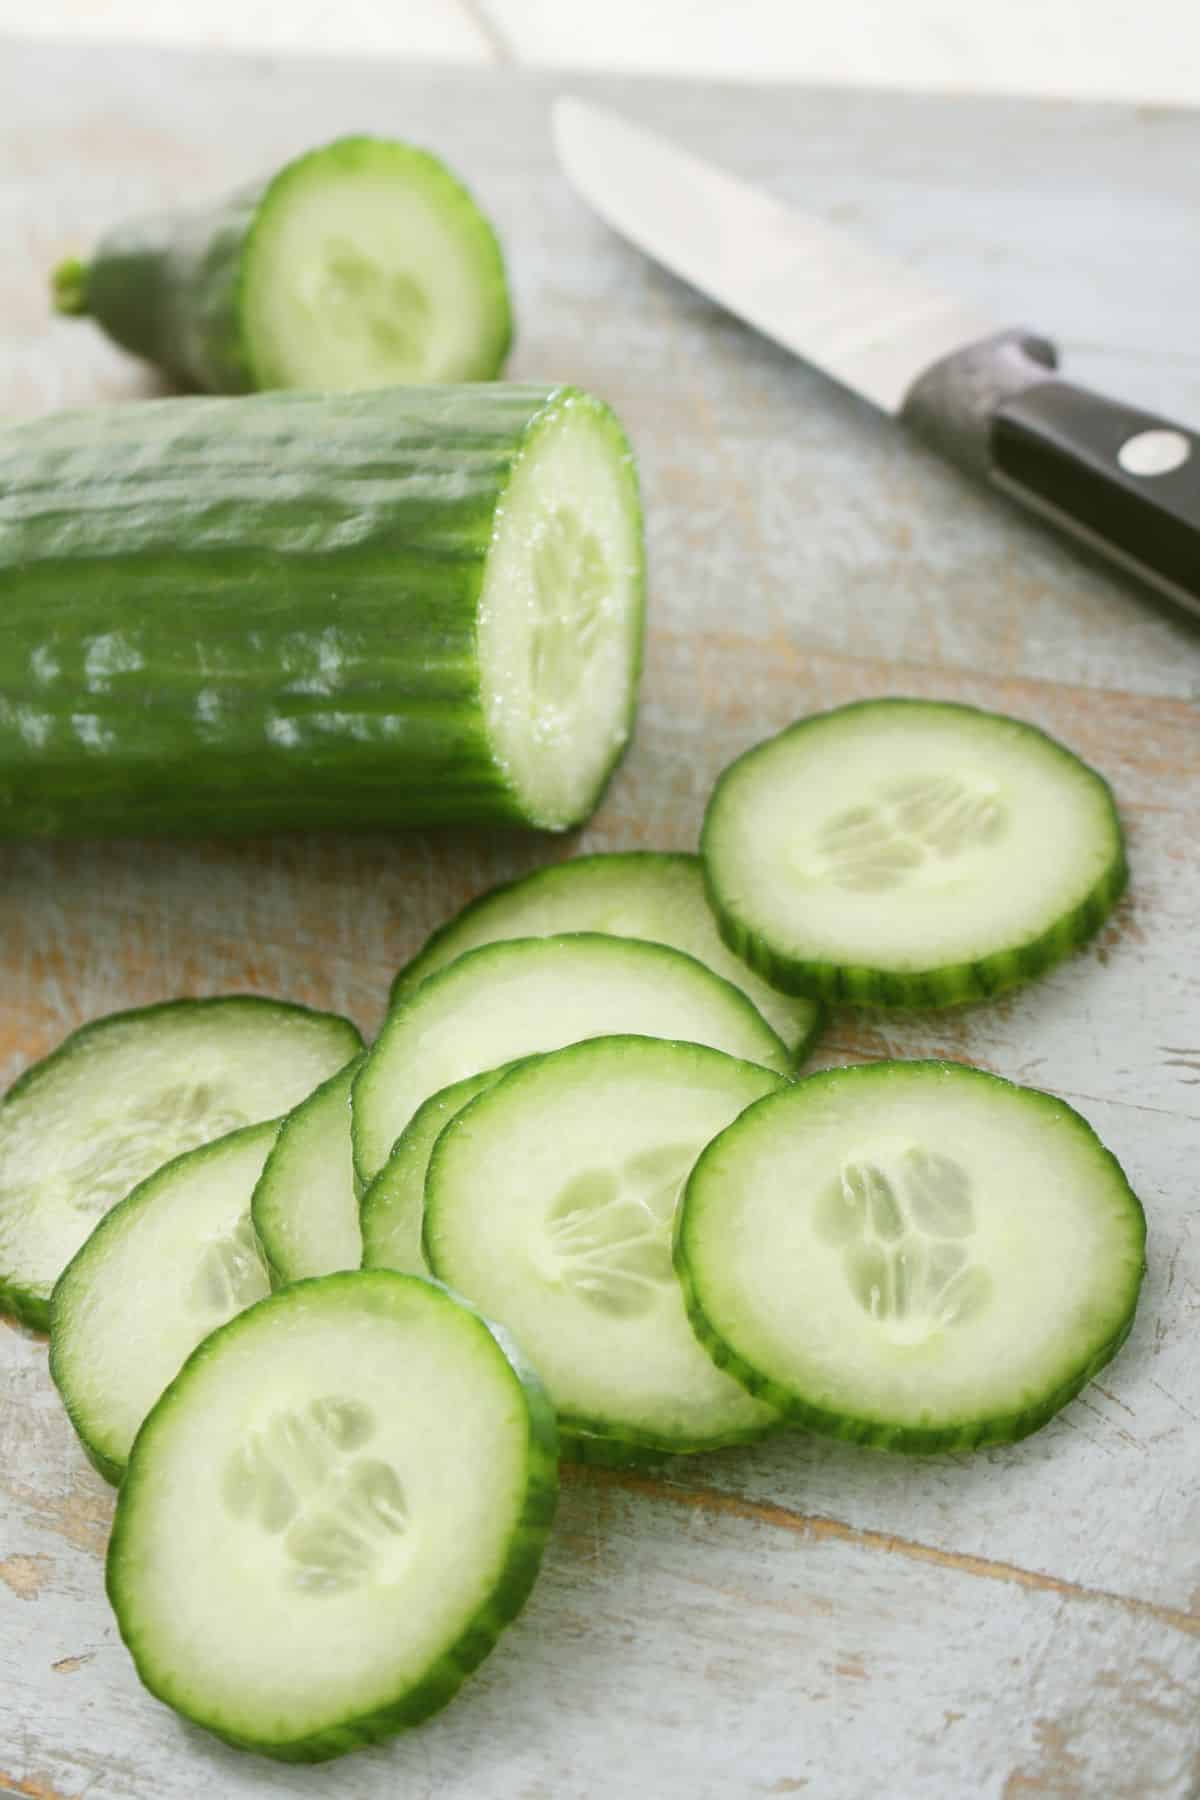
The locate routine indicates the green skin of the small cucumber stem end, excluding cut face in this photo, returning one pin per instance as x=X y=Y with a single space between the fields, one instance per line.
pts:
x=170 y=289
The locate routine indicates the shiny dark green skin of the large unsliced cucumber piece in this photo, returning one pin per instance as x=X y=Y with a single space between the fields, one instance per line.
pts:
x=231 y=616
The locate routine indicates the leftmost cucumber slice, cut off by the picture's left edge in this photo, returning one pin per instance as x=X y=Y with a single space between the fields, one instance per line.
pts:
x=125 y=1095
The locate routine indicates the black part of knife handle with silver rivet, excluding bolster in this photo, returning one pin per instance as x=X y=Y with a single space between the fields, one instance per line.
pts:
x=1122 y=480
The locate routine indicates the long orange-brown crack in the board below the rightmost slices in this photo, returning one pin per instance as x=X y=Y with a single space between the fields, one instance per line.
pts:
x=823 y=1529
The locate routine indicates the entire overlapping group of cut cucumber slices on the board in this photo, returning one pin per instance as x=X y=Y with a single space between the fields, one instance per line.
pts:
x=582 y=1117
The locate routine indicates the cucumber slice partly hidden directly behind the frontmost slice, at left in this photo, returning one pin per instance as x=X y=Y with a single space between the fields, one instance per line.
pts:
x=163 y=1270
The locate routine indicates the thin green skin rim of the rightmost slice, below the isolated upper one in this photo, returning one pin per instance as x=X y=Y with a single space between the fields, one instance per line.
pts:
x=879 y=1434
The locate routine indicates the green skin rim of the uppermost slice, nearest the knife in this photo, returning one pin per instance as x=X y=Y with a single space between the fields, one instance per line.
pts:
x=954 y=985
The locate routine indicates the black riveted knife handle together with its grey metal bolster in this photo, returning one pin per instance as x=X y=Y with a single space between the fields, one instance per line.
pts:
x=1124 y=481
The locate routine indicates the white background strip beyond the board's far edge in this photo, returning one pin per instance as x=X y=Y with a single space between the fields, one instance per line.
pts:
x=1116 y=49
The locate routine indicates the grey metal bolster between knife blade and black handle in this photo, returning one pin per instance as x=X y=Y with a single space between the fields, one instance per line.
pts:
x=954 y=402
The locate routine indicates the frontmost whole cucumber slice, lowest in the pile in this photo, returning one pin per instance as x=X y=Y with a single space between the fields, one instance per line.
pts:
x=332 y=1515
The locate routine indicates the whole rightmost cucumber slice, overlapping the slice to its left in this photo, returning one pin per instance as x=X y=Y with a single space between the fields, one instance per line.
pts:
x=913 y=1255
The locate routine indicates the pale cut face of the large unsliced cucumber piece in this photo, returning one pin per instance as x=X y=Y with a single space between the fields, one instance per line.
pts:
x=560 y=615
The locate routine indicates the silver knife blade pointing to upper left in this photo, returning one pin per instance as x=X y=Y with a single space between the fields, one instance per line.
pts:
x=868 y=321
